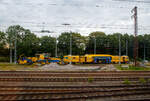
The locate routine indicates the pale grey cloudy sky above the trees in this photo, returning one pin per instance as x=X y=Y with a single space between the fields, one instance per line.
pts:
x=84 y=16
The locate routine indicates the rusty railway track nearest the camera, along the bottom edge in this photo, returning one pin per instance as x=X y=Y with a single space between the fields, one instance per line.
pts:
x=76 y=94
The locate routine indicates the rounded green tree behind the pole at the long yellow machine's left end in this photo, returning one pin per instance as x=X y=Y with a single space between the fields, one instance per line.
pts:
x=78 y=43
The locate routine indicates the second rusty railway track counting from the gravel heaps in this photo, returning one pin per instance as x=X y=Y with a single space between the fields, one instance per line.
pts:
x=70 y=79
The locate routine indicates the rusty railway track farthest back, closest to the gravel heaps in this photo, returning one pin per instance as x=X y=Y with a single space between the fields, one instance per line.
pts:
x=74 y=74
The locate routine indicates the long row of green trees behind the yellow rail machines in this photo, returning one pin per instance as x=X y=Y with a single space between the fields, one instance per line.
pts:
x=30 y=44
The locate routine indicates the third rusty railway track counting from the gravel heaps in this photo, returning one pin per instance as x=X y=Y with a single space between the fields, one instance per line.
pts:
x=54 y=89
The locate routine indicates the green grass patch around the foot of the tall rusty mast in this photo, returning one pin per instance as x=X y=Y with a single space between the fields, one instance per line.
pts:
x=132 y=68
